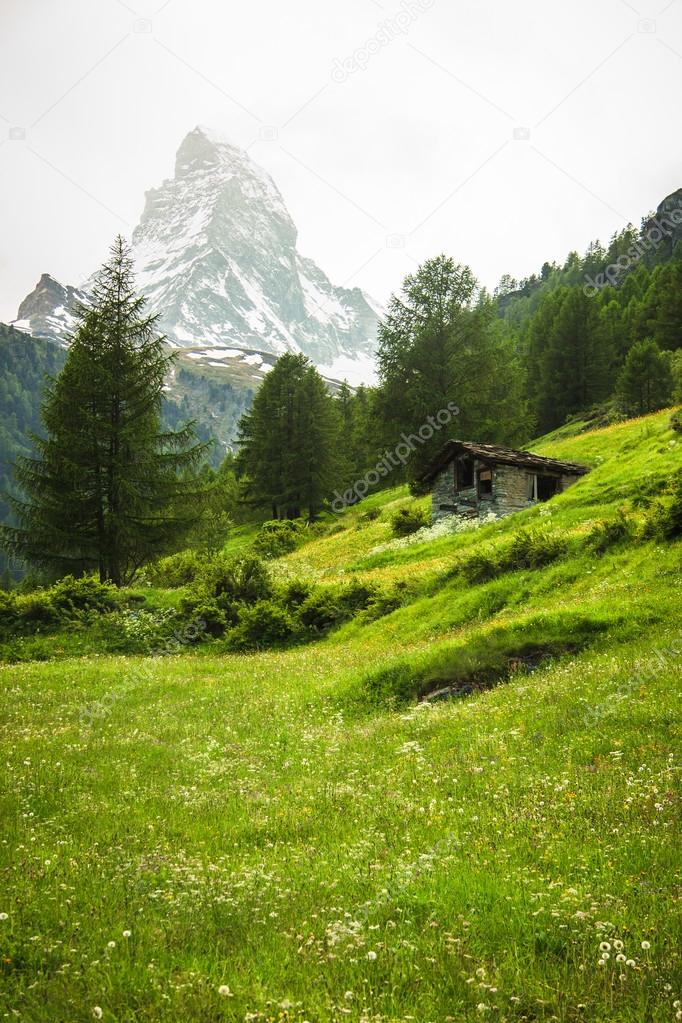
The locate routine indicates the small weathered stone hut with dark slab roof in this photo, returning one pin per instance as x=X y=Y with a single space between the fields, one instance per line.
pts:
x=474 y=480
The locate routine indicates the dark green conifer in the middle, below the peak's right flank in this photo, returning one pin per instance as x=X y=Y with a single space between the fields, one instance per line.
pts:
x=290 y=442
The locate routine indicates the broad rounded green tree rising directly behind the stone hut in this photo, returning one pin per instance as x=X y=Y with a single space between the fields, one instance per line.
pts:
x=442 y=360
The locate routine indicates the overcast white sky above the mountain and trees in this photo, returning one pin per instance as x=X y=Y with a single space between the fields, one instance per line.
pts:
x=387 y=150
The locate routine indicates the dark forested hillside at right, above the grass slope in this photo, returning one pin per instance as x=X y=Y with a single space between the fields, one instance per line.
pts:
x=605 y=329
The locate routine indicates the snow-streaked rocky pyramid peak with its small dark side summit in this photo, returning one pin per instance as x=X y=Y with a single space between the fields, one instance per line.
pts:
x=216 y=255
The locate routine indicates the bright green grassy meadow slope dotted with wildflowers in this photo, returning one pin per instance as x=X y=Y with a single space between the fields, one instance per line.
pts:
x=257 y=822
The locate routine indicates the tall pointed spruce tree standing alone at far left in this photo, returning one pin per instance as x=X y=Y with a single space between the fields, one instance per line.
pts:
x=108 y=491
